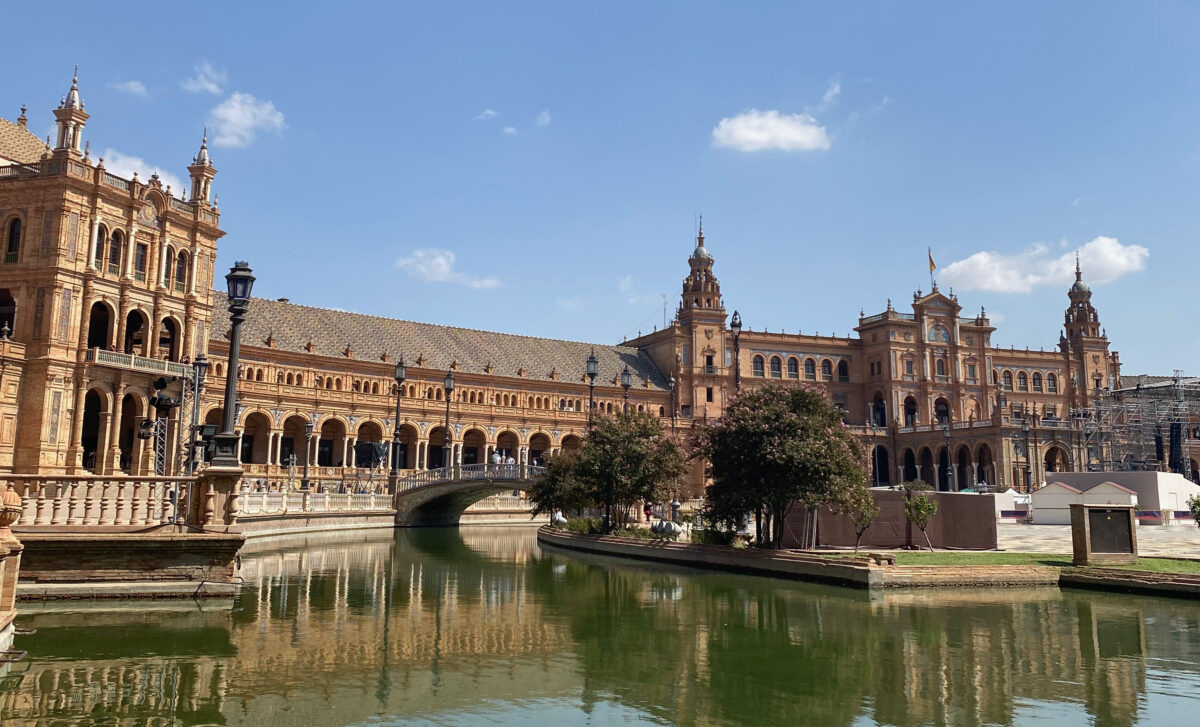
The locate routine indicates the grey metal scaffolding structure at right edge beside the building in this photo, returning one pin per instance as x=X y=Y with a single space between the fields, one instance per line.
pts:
x=1138 y=426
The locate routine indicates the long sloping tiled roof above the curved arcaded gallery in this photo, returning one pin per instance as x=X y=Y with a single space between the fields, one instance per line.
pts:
x=293 y=327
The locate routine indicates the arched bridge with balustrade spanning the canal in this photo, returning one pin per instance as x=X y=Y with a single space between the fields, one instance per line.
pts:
x=439 y=497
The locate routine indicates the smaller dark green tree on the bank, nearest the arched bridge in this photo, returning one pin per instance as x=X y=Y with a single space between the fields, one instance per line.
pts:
x=627 y=459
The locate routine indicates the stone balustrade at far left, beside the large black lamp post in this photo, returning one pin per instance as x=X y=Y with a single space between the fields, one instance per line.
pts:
x=92 y=501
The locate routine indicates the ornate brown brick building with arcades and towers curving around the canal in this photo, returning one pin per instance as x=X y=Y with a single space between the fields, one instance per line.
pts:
x=107 y=286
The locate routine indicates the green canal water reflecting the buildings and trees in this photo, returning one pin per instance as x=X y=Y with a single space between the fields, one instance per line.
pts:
x=482 y=627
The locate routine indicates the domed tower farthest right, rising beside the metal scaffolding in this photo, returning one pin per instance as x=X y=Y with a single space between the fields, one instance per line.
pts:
x=1087 y=345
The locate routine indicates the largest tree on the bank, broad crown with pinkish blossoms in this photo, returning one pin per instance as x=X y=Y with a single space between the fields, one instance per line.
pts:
x=777 y=447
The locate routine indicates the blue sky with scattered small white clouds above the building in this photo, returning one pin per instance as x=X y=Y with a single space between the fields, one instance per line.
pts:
x=538 y=169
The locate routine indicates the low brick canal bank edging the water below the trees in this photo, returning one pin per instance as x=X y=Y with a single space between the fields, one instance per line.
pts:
x=871 y=574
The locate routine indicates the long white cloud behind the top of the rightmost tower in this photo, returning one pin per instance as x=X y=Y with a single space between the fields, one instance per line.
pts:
x=1103 y=261
